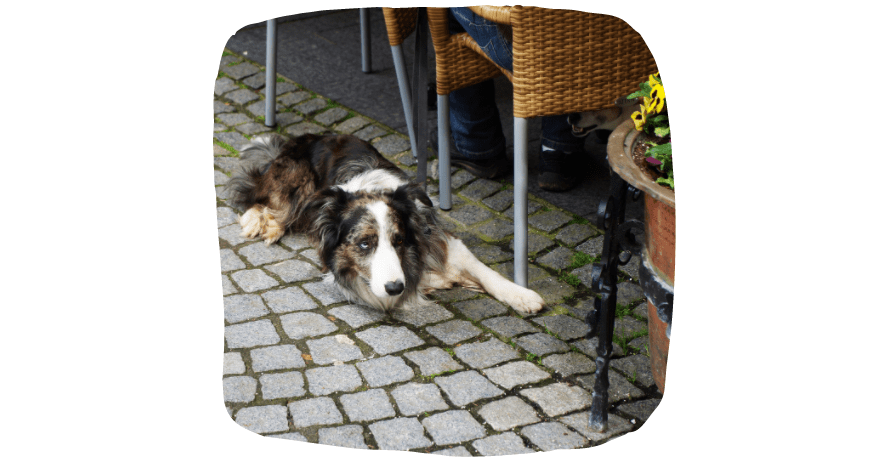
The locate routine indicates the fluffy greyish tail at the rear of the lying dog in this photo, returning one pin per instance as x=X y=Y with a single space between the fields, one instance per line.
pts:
x=256 y=157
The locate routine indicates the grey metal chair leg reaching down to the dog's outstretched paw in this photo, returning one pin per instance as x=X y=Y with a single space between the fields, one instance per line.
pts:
x=521 y=182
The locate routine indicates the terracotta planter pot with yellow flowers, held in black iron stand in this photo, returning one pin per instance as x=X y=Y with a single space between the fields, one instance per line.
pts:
x=658 y=253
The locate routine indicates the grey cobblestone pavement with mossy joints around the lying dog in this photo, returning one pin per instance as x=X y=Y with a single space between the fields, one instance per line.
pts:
x=463 y=376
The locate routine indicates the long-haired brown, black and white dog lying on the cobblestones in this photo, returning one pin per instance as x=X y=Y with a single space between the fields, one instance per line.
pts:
x=377 y=233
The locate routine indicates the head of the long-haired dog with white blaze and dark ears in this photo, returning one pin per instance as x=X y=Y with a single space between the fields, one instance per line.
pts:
x=369 y=242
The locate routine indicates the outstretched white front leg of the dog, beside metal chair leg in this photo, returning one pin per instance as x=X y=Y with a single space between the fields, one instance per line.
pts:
x=469 y=271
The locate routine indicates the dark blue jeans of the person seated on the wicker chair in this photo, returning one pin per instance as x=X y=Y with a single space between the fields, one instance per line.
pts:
x=476 y=127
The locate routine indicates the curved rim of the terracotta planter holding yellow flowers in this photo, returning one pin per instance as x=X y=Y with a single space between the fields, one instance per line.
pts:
x=618 y=148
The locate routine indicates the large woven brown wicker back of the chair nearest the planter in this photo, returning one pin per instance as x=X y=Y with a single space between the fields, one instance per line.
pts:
x=568 y=61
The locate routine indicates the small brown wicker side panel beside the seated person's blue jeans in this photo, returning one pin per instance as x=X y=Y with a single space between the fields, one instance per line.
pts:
x=456 y=65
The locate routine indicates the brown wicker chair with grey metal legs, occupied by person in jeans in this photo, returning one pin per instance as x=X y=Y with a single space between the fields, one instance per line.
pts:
x=564 y=61
